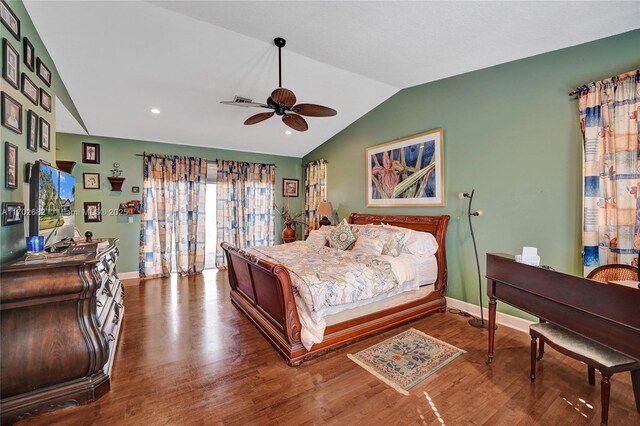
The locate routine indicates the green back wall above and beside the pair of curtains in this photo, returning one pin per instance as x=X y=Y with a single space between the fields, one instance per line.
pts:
x=123 y=151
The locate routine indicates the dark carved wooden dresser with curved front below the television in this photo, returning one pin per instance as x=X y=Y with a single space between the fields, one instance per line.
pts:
x=60 y=319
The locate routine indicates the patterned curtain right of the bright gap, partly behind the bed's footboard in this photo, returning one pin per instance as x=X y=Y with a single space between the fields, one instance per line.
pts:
x=244 y=206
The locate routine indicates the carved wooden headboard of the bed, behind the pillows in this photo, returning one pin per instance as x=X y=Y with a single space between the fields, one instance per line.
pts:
x=436 y=225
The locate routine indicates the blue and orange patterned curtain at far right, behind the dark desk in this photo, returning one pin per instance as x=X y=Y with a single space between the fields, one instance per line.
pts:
x=609 y=119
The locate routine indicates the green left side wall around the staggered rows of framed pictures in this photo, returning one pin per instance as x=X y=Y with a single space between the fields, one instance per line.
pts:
x=12 y=237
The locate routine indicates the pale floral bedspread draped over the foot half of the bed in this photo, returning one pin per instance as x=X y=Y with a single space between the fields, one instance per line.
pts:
x=326 y=277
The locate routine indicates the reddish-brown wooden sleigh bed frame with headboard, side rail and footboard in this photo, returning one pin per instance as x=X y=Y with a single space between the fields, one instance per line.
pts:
x=263 y=291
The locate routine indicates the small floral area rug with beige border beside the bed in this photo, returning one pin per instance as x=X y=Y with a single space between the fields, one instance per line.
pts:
x=405 y=360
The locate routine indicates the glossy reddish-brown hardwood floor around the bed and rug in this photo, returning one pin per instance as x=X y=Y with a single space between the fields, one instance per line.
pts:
x=187 y=356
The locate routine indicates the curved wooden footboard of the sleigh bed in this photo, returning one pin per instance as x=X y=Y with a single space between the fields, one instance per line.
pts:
x=263 y=291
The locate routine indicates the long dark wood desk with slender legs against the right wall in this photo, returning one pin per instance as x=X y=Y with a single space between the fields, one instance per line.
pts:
x=606 y=313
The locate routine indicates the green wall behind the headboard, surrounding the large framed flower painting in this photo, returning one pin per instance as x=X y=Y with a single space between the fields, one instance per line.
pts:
x=512 y=133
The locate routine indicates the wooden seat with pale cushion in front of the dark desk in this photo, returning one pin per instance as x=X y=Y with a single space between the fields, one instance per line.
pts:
x=595 y=355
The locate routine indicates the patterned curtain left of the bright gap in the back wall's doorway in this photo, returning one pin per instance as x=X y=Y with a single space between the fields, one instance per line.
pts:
x=172 y=225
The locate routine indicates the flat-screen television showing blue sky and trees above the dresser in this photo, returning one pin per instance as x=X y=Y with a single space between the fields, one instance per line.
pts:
x=53 y=206
